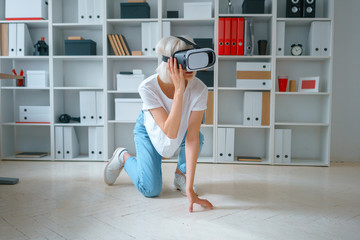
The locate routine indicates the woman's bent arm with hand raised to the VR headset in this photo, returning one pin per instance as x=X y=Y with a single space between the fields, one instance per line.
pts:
x=170 y=124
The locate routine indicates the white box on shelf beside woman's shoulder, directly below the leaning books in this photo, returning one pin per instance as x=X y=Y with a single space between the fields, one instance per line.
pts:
x=129 y=82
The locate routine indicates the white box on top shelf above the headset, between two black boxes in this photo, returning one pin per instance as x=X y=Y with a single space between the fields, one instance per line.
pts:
x=197 y=10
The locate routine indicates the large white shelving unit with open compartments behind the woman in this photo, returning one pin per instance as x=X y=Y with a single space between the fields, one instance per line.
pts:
x=306 y=114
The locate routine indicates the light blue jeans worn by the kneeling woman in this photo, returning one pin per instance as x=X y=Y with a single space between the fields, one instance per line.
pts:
x=145 y=170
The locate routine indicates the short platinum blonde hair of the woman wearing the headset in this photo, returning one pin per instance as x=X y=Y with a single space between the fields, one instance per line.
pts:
x=167 y=47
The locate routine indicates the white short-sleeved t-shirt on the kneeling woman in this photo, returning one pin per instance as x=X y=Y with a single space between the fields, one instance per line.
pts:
x=194 y=99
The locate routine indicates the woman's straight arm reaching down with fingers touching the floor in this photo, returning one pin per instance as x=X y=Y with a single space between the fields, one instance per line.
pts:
x=192 y=152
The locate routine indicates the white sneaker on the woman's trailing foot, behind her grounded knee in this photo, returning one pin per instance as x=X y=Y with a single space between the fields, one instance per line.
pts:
x=114 y=167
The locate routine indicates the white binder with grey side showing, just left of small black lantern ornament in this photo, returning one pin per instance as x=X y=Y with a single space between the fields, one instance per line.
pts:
x=24 y=43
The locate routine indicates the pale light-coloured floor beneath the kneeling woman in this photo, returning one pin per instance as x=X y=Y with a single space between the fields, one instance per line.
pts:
x=70 y=201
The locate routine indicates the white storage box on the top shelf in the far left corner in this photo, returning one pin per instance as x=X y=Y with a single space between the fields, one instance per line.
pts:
x=26 y=9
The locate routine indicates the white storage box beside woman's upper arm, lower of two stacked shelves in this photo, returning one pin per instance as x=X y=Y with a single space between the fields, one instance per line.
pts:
x=127 y=109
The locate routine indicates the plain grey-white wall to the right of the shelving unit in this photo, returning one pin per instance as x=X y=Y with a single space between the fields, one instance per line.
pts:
x=345 y=137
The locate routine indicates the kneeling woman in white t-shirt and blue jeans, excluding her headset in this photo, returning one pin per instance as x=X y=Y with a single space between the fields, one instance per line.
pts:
x=173 y=105
